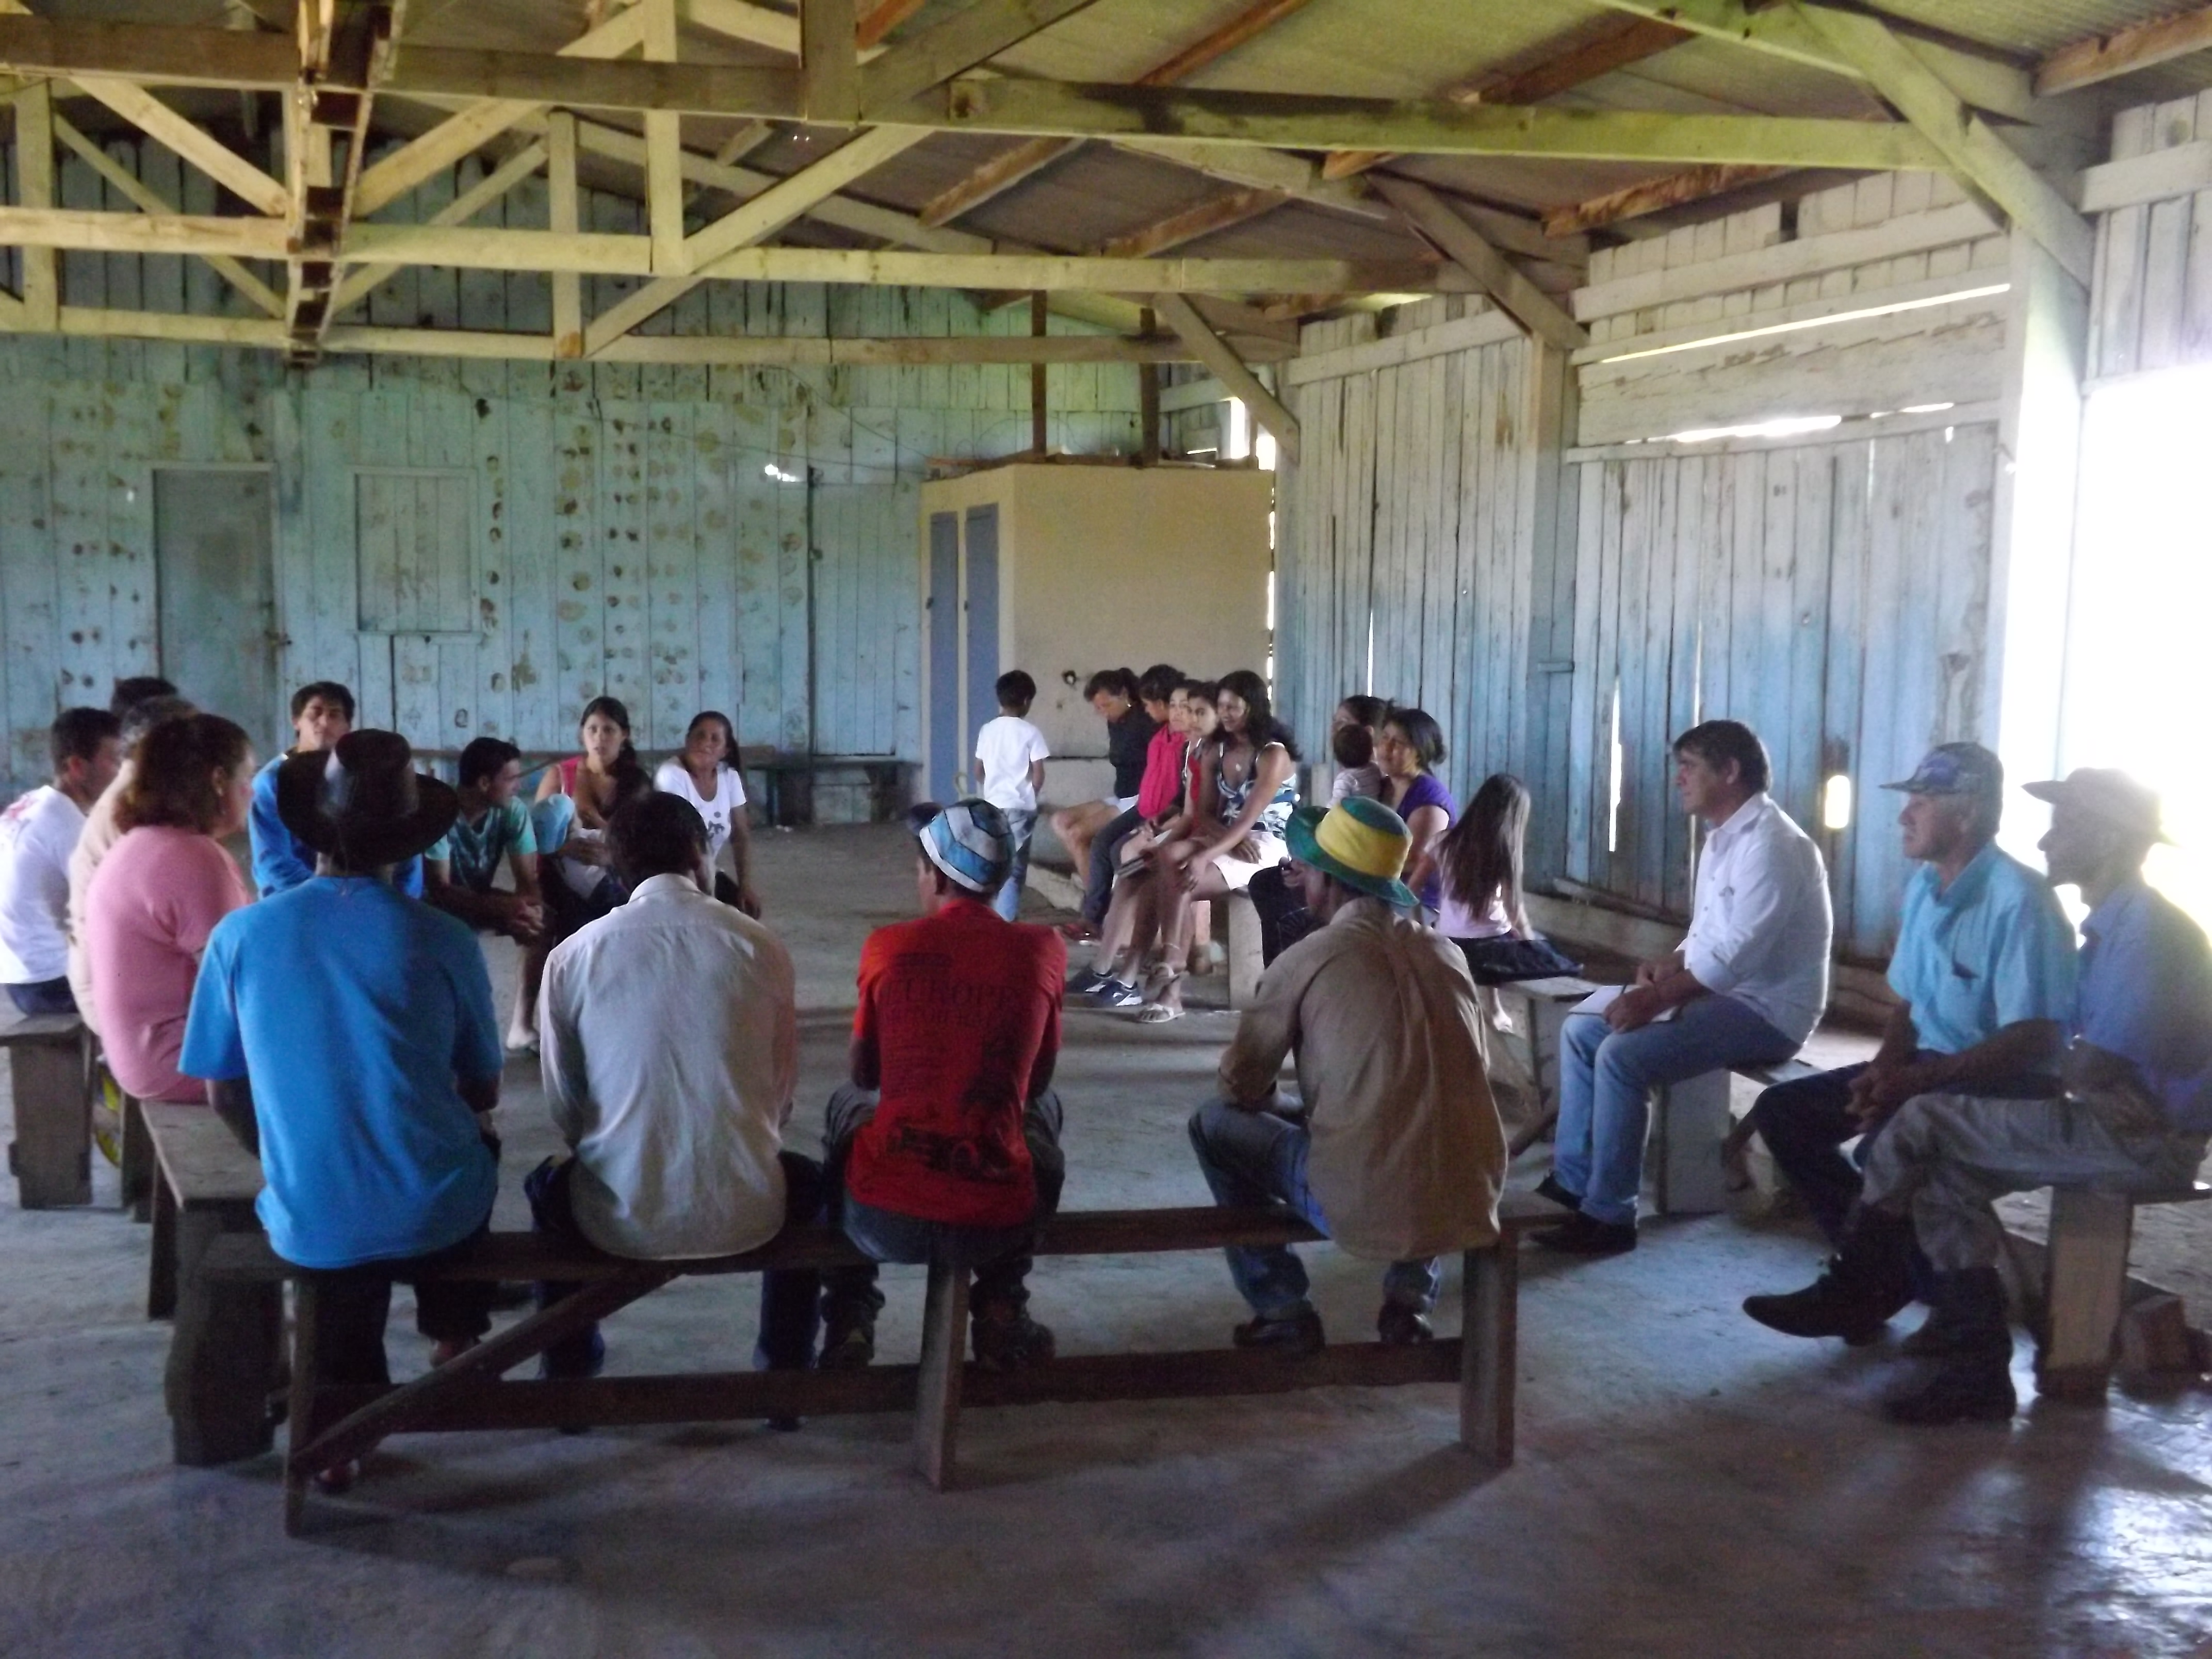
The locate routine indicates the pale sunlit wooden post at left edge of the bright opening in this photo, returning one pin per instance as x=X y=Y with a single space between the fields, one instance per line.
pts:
x=2032 y=528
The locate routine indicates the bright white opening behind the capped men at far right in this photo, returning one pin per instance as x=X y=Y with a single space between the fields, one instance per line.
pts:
x=2142 y=587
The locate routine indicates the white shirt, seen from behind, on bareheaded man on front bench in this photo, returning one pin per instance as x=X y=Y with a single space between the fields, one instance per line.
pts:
x=669 y=1043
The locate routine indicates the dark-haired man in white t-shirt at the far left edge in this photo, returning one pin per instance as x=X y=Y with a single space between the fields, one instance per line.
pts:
x=39 y=833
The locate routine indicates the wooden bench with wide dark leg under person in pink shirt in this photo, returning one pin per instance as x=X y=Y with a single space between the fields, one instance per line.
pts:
x=227 y=1353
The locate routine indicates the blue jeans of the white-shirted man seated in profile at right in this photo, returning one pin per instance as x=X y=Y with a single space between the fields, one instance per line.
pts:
x=1607 y=1078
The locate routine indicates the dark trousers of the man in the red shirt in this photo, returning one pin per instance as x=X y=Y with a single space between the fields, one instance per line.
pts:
x=999 y=1258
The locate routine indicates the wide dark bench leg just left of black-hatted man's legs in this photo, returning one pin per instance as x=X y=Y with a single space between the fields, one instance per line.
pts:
x=222 y=1355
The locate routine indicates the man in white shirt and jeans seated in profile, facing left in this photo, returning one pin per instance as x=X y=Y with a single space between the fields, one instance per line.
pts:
x=1744 y=990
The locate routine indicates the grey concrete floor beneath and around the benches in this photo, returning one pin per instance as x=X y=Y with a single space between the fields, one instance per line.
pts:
x=1687 y=1483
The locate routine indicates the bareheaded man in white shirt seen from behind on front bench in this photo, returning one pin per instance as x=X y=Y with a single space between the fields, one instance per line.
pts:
x=669 y=1039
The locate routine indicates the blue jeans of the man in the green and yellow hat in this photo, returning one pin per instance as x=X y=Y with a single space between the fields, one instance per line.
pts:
x=1260 y=1160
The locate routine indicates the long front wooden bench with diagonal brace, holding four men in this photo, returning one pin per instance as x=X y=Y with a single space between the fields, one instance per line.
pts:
x=331 y=1423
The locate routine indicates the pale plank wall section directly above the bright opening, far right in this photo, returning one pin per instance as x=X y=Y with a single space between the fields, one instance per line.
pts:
x=2153 y=295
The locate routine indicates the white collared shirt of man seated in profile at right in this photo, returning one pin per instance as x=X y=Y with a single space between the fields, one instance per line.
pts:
x=1762 y=928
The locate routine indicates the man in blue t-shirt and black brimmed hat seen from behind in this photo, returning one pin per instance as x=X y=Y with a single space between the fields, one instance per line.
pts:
x=348 y=1039
